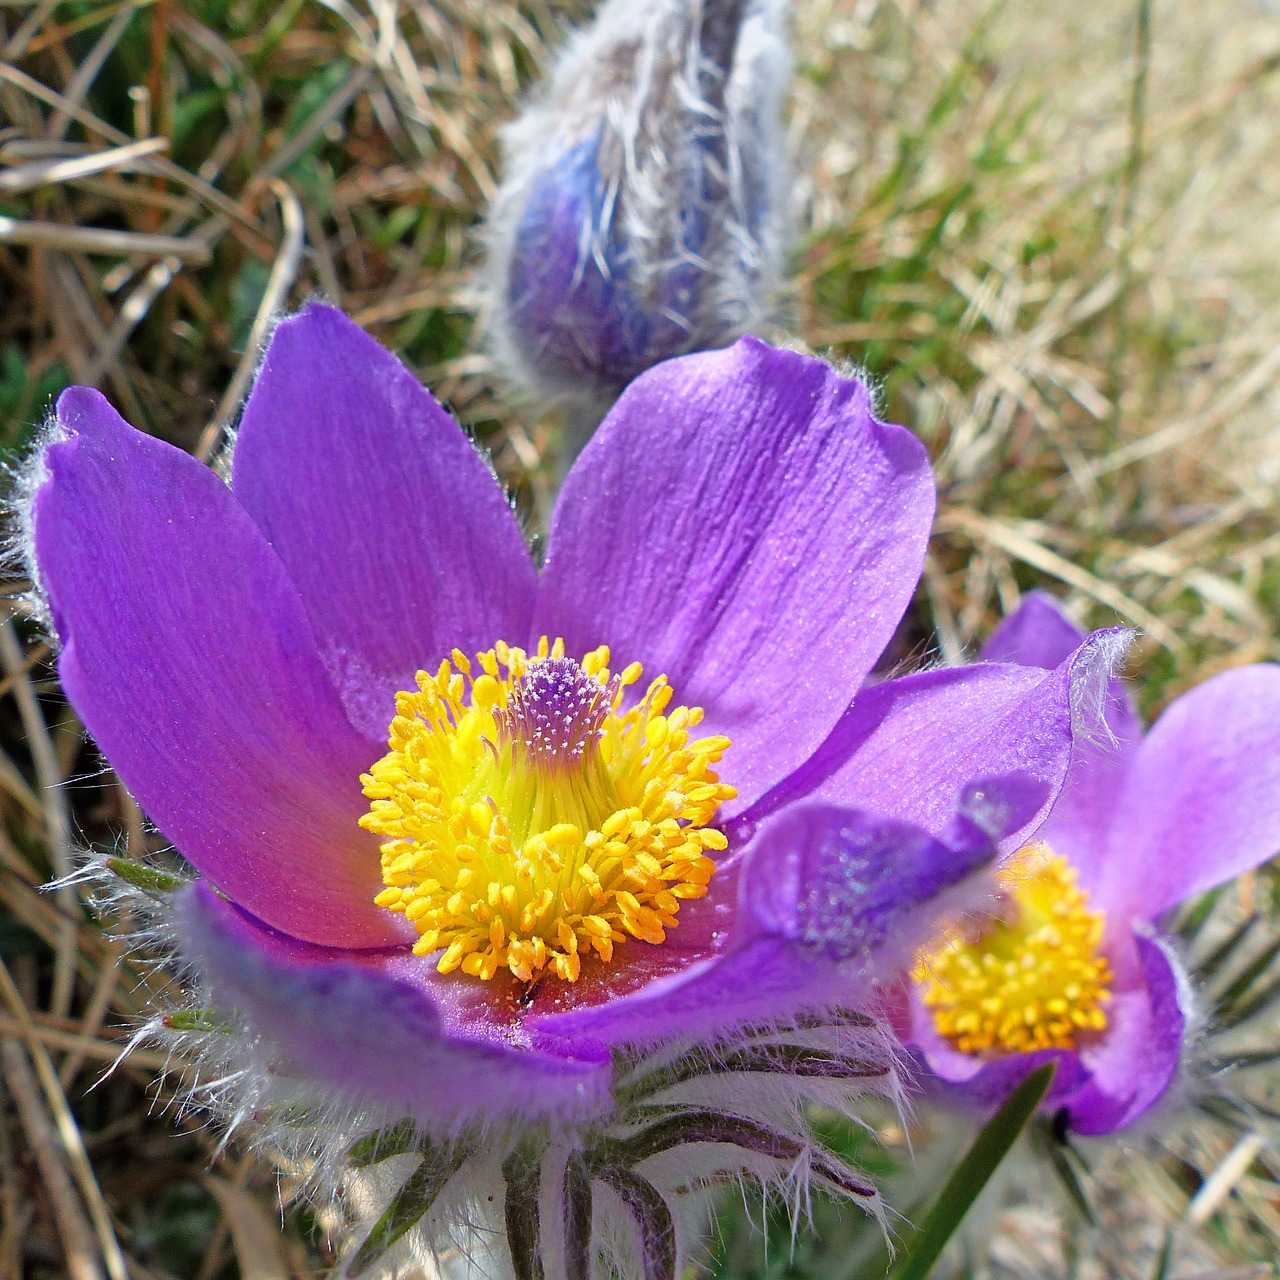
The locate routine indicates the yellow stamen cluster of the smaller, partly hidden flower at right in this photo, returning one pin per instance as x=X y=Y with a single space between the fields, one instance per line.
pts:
x=1034 y=979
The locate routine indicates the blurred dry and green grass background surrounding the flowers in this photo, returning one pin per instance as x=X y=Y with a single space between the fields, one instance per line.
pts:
x=1049 y=235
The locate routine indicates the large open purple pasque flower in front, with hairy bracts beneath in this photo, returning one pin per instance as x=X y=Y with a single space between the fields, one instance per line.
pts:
x=460 y=867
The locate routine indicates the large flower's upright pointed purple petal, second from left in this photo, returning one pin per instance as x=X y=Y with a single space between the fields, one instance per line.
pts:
x=395 y=532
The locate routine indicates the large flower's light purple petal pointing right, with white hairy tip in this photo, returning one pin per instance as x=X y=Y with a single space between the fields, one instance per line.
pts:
x=909 y=747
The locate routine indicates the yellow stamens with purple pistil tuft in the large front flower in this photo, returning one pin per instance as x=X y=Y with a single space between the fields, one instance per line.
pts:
x=531 y=821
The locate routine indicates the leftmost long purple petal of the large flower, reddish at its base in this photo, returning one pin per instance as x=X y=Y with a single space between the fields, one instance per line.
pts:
x=189 y=656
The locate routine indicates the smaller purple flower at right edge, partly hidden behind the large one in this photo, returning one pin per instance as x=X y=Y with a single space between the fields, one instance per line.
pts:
x=1072 y=966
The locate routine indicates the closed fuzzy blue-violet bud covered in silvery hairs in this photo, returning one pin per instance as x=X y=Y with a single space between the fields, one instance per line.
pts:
x=643 y=213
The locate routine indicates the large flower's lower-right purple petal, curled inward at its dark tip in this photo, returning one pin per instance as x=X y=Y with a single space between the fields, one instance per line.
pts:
x=831 y=904
